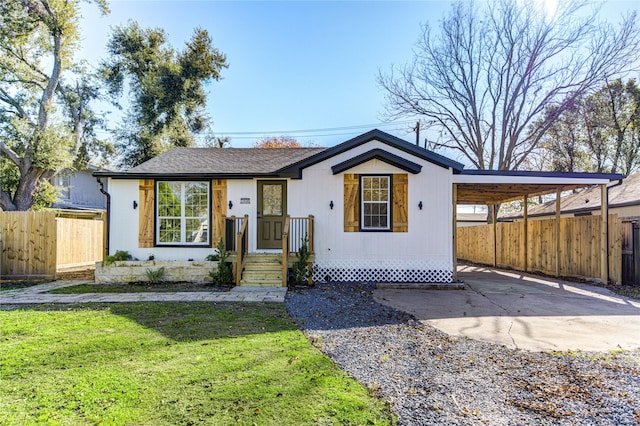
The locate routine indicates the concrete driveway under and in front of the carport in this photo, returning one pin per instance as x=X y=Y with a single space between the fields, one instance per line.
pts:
x=525 y=311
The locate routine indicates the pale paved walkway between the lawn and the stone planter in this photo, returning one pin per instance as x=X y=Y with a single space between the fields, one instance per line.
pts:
x=37 y=294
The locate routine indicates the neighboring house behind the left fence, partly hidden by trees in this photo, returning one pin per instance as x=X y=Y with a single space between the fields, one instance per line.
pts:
x=79 y=190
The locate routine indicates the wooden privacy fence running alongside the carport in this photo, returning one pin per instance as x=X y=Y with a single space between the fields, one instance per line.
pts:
x=579 y=251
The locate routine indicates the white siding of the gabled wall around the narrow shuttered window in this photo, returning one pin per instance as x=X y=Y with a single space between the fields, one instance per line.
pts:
x=422 y=253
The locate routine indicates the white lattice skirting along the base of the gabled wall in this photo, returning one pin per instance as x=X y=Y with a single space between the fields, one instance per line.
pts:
x=392 y=271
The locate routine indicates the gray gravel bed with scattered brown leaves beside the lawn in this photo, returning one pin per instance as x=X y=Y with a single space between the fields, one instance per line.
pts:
x=429 y=377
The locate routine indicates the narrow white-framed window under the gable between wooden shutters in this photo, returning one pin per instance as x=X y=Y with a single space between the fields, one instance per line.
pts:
x=375 y=198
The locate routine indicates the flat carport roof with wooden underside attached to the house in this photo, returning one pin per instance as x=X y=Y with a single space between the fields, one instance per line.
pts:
x=501 y=186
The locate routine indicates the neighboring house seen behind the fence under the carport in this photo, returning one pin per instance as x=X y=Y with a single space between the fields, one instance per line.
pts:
x=624 y=200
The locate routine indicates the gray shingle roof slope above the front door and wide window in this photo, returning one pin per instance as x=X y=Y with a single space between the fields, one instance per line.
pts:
x=224 y=161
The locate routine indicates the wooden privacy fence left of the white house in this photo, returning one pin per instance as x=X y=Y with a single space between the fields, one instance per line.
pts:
x=37 y=244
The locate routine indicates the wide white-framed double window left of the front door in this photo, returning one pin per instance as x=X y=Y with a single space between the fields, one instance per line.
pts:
x=182 y=213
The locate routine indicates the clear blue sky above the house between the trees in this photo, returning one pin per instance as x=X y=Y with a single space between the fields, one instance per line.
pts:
x=292 y=65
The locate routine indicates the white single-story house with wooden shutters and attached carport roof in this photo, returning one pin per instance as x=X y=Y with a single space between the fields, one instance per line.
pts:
x=383 y=209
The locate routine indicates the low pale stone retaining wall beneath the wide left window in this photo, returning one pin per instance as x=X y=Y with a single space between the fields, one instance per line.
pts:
x=136 y=271
